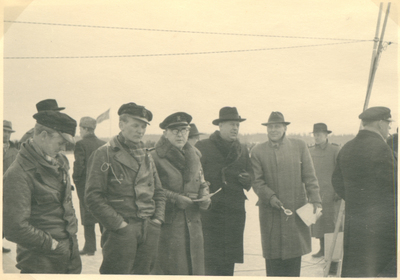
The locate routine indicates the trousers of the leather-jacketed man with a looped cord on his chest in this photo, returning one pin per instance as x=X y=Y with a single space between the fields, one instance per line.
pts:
x=132 y=249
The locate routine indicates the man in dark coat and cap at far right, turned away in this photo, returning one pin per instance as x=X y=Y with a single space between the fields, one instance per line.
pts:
x=366 y=178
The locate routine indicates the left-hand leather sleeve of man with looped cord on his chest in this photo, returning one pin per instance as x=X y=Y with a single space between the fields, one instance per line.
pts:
x=96 y=189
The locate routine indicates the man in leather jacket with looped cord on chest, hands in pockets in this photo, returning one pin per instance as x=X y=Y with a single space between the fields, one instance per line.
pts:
x=124 y=193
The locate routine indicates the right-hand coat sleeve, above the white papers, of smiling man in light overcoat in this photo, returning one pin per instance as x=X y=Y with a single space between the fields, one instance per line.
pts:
x=308 y=174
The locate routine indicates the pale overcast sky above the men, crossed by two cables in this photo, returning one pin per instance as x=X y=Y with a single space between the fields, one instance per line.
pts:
x=308 y=85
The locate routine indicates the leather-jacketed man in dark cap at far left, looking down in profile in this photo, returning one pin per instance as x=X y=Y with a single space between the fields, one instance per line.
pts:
x=38 y=211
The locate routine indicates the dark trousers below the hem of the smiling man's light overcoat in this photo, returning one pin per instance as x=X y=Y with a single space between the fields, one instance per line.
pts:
x=278 y=267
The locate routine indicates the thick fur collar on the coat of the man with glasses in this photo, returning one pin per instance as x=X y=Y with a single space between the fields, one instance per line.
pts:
x=183 y=160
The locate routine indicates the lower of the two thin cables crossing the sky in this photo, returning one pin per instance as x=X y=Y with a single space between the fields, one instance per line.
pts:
x=175 y=54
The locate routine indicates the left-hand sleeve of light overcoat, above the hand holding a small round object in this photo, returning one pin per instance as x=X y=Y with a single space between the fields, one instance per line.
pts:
x=260 y=187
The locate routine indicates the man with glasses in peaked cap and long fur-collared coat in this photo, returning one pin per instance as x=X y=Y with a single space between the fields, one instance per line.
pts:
x=181 y=250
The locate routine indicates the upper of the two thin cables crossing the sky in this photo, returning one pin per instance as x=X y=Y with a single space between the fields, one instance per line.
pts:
x=180 y=31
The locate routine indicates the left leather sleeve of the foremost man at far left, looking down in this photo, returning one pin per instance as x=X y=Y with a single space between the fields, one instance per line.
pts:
x=17 y=197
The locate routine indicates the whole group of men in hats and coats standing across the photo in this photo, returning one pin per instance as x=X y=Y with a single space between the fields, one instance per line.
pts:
x=179 y=208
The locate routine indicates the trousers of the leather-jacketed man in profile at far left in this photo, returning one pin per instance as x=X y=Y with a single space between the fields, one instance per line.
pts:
x=64 y=259
